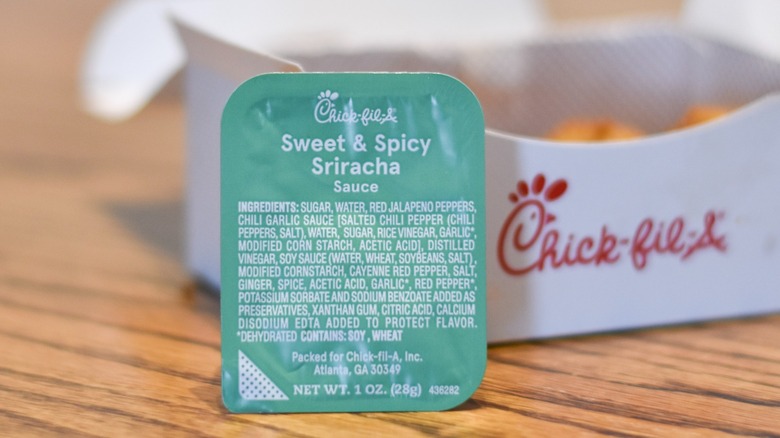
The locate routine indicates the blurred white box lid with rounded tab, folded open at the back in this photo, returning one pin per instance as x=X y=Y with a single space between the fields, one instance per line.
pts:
x=134 y=50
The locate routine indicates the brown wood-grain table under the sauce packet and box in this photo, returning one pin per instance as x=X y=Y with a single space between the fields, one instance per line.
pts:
x=103 y=334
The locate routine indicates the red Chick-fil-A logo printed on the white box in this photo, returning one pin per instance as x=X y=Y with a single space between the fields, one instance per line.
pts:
x=530 y=241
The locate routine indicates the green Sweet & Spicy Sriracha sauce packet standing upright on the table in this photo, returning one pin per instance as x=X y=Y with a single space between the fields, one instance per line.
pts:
x=353 y=243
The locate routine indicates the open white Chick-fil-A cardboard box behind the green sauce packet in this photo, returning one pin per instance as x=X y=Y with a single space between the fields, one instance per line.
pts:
x=679 y=226
